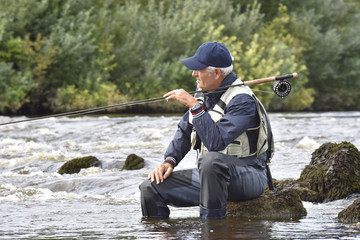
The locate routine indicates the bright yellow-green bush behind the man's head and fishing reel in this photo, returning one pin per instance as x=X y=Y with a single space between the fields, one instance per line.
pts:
x=269 y=56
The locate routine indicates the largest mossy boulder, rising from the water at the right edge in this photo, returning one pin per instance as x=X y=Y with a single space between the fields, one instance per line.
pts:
x=334 y=171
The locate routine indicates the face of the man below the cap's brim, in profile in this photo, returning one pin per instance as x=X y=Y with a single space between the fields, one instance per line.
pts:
x=207 y=80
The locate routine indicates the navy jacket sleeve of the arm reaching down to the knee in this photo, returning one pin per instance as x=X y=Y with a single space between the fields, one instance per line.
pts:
x=181 y=143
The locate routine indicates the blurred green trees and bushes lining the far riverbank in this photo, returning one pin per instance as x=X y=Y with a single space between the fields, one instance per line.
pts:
x=63 y=55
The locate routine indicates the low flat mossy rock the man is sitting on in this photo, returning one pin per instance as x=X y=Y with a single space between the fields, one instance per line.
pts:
x=281 y=204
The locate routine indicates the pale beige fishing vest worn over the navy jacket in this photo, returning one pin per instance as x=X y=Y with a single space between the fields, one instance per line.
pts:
x=254 y=141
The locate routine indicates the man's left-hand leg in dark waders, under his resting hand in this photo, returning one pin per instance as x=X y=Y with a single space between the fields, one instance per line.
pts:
x=180 y=189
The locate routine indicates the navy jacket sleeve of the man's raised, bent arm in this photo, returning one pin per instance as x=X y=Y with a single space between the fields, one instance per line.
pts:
x=240 y=114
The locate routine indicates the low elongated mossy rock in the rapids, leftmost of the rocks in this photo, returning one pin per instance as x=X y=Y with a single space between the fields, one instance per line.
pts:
x=75 y=165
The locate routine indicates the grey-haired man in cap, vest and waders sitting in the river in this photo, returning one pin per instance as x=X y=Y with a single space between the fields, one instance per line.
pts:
x=227 y=127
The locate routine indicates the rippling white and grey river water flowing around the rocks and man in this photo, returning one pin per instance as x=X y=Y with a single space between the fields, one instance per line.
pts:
x=103 y=203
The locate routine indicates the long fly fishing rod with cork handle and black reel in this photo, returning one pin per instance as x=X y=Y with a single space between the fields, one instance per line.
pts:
x=281 y=88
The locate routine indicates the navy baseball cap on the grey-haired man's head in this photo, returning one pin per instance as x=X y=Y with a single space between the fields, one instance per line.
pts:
x=209 y=54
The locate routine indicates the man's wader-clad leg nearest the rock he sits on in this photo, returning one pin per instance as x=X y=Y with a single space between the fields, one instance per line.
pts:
x=223 y=178
